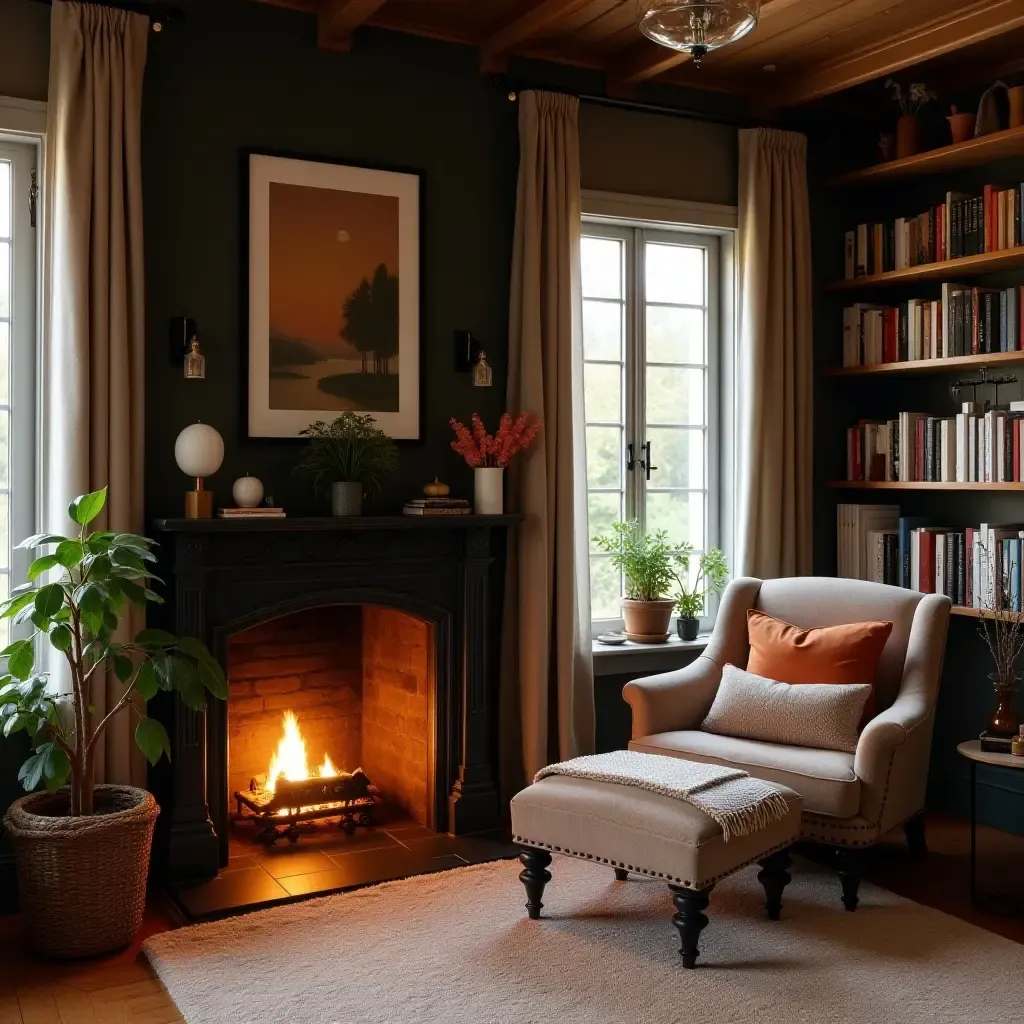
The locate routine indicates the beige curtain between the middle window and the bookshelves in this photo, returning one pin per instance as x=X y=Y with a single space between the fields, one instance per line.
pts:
x=775 y=396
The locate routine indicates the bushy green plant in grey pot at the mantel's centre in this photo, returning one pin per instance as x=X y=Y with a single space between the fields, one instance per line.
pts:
x=348 y=457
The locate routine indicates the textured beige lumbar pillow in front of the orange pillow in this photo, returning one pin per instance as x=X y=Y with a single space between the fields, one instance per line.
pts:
x=821 y=715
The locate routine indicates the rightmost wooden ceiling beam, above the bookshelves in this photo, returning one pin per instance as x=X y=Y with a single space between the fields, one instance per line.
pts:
x=973 y=24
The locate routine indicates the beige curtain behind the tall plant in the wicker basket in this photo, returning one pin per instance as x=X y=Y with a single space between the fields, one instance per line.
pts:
x=94 y=347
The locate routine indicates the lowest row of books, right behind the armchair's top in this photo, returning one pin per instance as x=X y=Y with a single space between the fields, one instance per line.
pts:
x=975 y=568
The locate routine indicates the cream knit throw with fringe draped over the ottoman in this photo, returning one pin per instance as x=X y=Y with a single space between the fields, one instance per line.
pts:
x=740 y=804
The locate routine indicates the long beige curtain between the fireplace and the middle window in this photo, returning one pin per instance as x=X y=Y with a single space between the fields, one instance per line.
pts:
x=548 y=685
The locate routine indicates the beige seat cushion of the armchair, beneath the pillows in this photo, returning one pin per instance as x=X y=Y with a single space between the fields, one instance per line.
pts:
x=825 y=780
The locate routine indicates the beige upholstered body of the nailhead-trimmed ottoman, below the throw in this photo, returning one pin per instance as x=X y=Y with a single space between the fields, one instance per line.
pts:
x=641 y=831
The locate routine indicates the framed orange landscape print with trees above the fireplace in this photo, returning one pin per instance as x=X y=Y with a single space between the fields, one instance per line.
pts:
x=334 y=295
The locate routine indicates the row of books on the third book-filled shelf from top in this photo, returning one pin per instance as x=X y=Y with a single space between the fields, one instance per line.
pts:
x=973 y=447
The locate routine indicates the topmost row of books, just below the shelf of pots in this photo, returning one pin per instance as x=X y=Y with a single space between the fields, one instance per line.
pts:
x=963 y=226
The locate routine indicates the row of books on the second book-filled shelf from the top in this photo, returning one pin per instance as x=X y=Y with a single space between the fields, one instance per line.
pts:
x=965 y=322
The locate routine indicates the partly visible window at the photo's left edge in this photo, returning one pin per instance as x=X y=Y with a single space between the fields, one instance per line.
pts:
x=18 y=343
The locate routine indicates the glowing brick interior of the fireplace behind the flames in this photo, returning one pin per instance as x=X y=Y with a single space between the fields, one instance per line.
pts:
x=358 y=679
